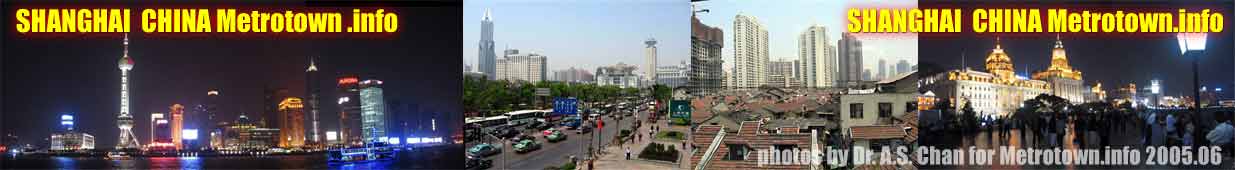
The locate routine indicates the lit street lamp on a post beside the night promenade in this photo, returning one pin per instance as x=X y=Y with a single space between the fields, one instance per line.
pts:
x=1194 y=45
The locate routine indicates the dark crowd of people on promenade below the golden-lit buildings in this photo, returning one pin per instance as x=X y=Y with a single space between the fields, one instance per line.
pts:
x=1158 y=129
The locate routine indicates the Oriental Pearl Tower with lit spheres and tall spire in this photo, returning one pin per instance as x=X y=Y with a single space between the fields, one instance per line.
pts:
x=125 y=120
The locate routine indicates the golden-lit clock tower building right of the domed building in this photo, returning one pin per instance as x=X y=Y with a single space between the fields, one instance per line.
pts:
x=1065 y=82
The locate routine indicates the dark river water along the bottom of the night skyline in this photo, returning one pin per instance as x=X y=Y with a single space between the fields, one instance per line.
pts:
x=437 y=158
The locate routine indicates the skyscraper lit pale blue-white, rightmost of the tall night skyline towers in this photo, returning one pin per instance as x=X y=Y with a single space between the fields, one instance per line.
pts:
x=374 y=110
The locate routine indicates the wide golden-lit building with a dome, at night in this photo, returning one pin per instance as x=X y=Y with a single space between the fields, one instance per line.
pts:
x=997 y=92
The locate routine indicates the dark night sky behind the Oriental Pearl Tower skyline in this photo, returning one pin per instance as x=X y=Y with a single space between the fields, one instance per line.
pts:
x=44 y=77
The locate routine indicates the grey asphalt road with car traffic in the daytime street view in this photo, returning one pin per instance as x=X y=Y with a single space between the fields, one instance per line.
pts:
x=555 y=155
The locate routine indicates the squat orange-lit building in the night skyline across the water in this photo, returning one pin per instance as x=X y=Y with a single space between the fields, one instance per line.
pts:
x=292 y=118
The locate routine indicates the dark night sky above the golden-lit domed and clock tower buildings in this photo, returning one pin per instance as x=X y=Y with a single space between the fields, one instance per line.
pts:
x=1110 y=59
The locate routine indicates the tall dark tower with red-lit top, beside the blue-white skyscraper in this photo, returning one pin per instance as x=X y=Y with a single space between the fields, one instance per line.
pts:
x=350 y=110
